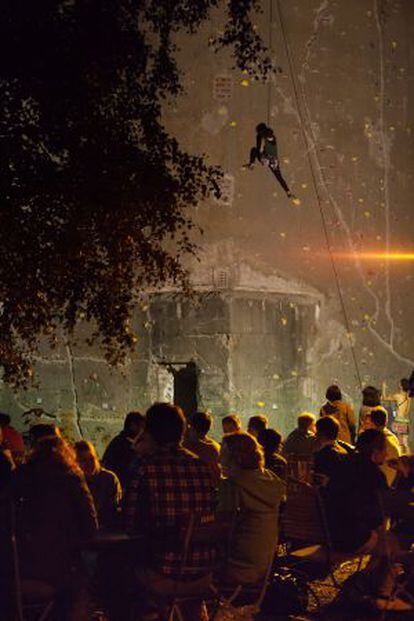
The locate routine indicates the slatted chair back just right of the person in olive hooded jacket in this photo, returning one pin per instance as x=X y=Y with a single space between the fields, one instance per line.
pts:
x=303 y=518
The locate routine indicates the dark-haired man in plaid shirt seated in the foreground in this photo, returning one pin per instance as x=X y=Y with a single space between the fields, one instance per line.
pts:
x=168 y=487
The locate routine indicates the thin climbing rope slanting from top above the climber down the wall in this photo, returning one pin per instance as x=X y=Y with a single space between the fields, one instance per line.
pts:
x=314 y=180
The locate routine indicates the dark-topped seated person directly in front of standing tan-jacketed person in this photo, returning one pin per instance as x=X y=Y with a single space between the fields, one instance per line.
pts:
x=330 y=453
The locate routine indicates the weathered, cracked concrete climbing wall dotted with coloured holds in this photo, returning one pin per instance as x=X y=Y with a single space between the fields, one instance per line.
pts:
x=351 y=125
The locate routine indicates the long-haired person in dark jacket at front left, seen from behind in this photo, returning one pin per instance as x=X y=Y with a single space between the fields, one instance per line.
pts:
x=54 y=512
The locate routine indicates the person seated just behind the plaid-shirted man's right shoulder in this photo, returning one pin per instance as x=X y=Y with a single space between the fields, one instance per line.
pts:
x=198 y=442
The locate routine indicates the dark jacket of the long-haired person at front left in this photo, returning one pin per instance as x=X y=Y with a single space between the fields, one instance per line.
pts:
x=54 y=512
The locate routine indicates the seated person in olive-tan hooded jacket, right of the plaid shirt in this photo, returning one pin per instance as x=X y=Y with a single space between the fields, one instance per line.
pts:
x=255 y=494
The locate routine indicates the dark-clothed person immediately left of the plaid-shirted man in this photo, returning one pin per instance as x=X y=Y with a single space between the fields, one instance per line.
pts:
x=121 y=451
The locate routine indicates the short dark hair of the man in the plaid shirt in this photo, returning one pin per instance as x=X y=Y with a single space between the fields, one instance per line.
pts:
x=165 y=423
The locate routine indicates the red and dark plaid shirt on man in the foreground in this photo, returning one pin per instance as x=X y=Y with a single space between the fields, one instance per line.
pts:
x=165 y=490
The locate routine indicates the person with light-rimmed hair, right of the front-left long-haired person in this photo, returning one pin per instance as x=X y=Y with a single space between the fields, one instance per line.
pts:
x=104 y=485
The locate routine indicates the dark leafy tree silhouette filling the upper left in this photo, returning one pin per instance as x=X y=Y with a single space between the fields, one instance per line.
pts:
x=92 y=185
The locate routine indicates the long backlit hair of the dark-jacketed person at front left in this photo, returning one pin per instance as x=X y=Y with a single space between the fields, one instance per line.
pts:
x=55 y=455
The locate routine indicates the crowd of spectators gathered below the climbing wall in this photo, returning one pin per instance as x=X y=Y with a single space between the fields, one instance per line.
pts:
x=164 y=467
